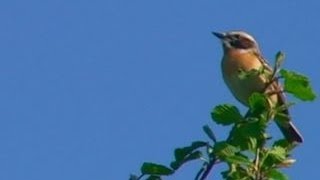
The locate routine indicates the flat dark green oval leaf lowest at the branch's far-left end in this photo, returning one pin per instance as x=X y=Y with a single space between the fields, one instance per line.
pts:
x=155 y=169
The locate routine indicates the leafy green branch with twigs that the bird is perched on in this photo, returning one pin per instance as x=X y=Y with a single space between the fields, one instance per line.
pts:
x=249 y=151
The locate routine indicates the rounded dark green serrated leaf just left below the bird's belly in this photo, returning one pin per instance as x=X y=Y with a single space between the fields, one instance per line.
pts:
x=226 y=114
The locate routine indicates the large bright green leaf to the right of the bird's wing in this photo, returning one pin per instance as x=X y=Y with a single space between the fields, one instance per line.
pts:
x=298 y=85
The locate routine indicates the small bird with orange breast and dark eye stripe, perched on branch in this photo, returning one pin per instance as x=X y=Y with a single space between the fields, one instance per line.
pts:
x=241 y=52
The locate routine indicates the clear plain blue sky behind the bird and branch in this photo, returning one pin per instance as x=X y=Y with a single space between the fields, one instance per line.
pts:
x=91 y=89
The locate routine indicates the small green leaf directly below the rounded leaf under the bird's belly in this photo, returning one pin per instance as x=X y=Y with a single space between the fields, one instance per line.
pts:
x=223 y=149
